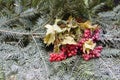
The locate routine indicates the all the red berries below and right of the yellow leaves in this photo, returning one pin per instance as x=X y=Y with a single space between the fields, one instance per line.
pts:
x=70 y=50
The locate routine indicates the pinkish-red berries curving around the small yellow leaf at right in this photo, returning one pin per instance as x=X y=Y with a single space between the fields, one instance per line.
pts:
x=95 y=53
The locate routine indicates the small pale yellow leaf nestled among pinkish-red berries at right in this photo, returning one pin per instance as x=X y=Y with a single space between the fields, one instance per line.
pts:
x=88 y=45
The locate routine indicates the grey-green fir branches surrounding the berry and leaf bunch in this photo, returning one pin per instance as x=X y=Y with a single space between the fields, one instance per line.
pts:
x=24 y=56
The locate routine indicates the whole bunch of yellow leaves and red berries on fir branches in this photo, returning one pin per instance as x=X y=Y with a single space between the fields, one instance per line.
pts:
x=71 y=36
